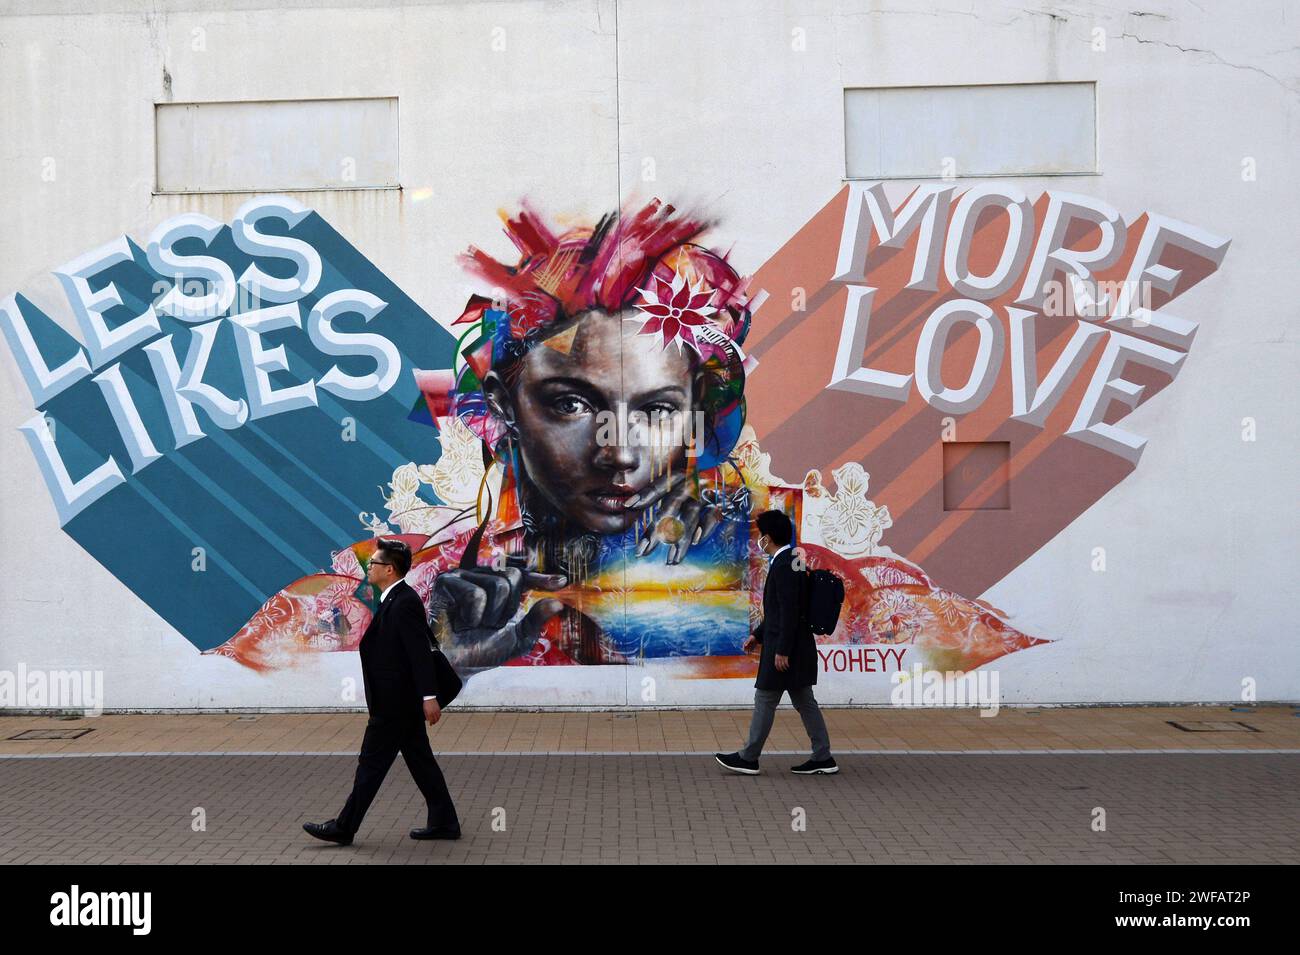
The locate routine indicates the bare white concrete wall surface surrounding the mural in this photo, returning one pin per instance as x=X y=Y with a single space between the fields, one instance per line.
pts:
x=1201 y=588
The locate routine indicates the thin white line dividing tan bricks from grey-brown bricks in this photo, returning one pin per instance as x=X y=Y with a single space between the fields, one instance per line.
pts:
x=671 y=753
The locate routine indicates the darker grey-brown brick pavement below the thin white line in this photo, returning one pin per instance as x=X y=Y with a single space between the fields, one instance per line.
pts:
x=970 y=809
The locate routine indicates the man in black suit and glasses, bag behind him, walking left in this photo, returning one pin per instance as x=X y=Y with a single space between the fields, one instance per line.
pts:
x=397 y=668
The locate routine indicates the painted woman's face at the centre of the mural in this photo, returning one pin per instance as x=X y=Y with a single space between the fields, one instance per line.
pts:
x=600 y=416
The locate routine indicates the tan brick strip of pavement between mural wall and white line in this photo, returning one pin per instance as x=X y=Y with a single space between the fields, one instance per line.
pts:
x=857 y=730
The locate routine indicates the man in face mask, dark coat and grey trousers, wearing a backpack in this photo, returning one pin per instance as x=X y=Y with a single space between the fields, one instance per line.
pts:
x=788 y=662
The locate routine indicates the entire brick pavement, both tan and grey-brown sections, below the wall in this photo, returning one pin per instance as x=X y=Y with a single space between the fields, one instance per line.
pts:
x=1021 y=787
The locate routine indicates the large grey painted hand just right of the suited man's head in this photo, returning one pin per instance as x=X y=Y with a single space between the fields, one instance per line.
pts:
x=480 y=605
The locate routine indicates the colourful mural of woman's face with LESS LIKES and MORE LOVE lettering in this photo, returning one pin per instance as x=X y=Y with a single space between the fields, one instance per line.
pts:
x=933 y=389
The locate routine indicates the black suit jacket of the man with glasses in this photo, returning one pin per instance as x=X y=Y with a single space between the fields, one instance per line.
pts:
x=397 y=657
